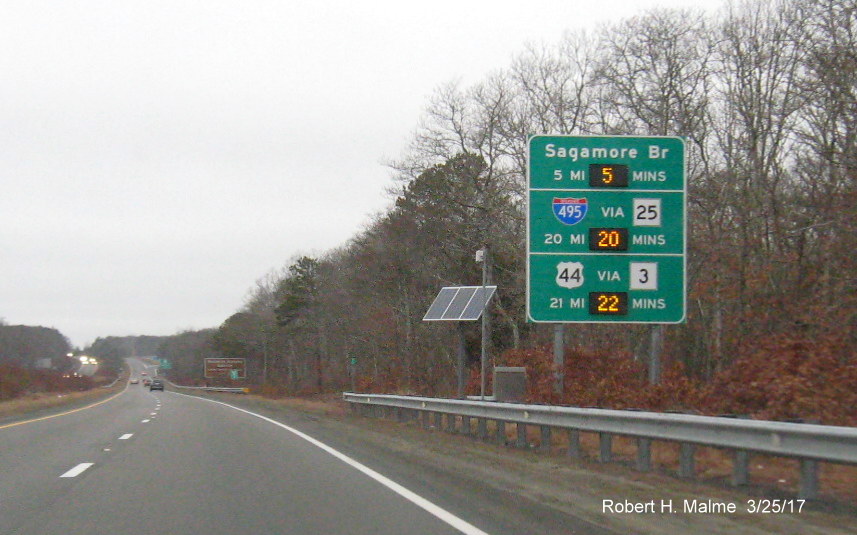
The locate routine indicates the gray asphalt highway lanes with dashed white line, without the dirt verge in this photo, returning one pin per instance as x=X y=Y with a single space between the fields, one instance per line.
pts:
x=161 y=462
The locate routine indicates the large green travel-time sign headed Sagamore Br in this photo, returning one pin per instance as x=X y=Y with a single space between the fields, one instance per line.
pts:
x=606 y=229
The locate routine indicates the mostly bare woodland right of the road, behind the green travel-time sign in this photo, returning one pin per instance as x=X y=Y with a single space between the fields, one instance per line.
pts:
x=764 y=93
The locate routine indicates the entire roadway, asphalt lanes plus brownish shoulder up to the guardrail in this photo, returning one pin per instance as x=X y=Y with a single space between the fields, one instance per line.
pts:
x=142 y=462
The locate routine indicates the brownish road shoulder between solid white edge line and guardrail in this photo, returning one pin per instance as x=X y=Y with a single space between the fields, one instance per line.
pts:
x=515 y=485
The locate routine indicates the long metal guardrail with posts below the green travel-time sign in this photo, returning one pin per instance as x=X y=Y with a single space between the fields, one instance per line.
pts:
x=808 y=442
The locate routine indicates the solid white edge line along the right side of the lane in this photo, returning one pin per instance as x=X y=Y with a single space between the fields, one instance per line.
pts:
x=440 y=513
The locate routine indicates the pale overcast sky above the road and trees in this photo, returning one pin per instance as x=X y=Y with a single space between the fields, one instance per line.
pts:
x=158 y=157
